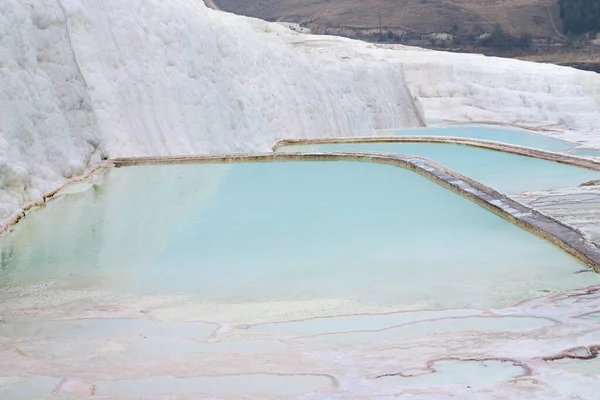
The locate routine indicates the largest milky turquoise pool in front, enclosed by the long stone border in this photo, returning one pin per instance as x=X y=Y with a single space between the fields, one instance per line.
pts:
x=288 y=231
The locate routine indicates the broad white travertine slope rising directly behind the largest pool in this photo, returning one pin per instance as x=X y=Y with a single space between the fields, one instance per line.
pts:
x=175 y=77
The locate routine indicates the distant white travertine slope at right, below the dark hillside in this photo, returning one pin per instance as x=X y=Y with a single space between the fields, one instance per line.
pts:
x=564 y=102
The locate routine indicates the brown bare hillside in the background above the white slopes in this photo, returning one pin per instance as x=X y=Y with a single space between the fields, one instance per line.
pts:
x=535 y=18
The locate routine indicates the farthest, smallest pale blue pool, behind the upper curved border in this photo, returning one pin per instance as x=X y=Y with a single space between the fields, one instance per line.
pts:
x=498 y=134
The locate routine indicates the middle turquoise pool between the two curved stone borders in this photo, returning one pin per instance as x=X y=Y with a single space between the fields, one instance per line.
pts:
x=505 y=172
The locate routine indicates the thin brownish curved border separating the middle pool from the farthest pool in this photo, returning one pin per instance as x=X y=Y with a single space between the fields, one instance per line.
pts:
x=581 y=162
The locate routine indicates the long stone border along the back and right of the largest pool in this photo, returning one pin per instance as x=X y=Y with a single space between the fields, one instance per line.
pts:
x=562 y=235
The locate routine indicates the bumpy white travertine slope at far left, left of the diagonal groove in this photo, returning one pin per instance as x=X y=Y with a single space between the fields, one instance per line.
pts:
x=47 y=126
